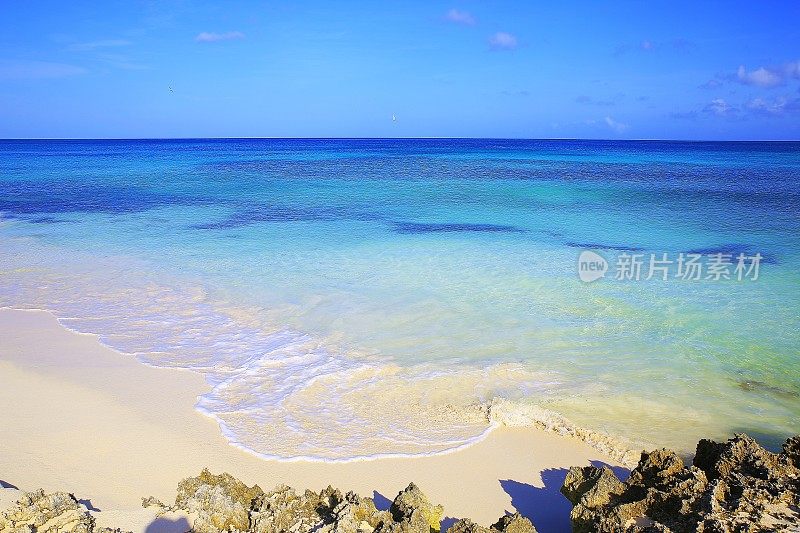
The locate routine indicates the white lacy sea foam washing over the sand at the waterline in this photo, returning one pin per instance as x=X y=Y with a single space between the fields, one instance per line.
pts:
x=275 y=392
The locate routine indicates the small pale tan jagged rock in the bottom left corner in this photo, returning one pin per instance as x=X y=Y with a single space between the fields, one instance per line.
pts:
x=37 y=512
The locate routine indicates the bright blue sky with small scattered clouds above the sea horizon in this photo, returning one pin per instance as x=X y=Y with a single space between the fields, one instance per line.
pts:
x=675 y=70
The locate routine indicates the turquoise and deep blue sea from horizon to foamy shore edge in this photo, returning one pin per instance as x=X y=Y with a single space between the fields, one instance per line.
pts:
x=358 y=298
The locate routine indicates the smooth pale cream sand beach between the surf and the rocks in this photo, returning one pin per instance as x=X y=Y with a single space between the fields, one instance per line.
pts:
x=79 y=417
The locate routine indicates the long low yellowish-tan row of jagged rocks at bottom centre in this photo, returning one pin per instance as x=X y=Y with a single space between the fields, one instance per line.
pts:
x=222 y=503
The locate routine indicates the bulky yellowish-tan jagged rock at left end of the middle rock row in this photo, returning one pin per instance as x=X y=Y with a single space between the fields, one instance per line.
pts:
x=218 y=503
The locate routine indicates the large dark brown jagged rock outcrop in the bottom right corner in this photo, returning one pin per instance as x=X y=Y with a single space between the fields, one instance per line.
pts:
x=732 y=486
